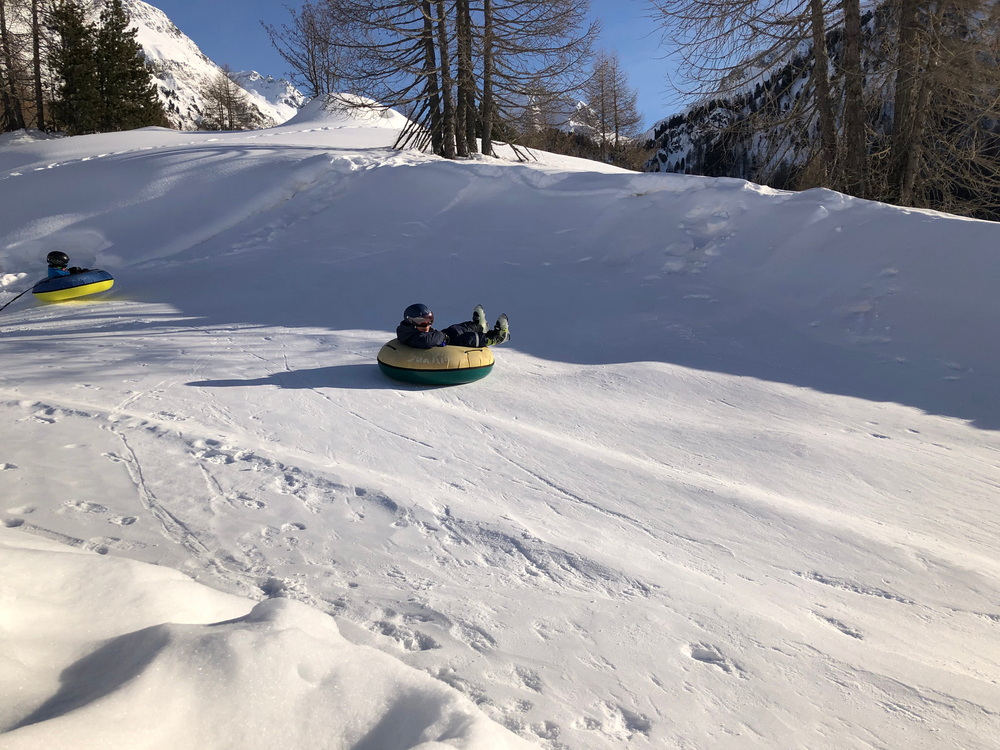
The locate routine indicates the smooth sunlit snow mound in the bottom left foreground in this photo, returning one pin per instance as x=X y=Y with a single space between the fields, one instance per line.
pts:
x=142 y=651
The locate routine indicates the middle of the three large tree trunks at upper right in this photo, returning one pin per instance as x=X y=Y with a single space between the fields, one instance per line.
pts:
x=855 y=138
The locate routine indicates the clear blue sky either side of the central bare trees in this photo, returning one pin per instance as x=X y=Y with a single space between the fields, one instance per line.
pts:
x=229 y=32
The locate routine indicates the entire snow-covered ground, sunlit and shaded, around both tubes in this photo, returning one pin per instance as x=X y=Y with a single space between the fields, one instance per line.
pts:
x=732 y=484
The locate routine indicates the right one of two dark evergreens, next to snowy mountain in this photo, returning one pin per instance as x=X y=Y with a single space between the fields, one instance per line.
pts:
x=128 y=92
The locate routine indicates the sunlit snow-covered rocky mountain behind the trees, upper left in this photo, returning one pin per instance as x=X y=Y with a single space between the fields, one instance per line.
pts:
x=182 y=70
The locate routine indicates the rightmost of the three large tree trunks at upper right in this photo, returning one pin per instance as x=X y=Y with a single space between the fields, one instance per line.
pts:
x=904 y=111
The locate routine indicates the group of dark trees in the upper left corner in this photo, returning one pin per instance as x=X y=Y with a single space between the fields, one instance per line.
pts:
x=59 y=71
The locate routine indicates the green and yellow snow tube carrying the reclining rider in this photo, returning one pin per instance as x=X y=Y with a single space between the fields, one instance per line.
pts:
x=442 y=365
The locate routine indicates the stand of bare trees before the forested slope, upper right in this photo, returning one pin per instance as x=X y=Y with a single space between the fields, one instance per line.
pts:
x=899 y=103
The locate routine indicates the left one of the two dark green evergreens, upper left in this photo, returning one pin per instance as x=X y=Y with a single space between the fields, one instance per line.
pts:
x=78 y=107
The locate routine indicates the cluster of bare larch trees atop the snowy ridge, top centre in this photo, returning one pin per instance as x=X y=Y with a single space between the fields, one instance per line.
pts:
x=462 y=71
